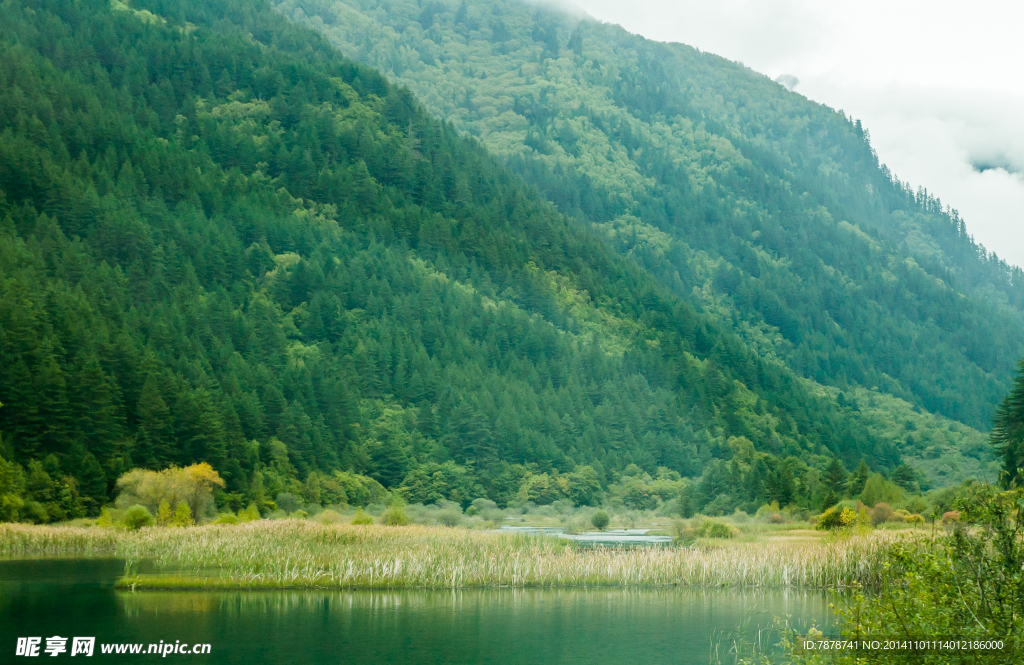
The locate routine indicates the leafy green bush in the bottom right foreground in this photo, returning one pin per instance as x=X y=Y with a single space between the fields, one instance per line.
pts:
x=966 y=585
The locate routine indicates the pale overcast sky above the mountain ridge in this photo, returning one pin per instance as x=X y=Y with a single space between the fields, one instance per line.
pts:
x=940 y=86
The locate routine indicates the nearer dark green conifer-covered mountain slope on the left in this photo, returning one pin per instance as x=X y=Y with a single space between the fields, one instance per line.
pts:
x=222 y=241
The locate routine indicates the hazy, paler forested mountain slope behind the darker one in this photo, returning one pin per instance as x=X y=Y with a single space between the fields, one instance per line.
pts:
x=767 y=212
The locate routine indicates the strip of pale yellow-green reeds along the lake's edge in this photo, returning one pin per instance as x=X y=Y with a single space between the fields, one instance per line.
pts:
x=297 y=554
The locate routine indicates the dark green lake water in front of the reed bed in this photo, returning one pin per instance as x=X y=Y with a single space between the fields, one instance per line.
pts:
x=76 y=598
